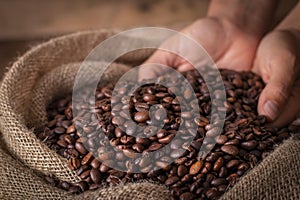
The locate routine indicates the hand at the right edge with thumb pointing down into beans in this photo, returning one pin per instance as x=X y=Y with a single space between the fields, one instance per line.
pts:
x=277 y=62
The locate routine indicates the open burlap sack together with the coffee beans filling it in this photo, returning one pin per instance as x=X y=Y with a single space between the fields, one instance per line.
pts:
x=43 y=139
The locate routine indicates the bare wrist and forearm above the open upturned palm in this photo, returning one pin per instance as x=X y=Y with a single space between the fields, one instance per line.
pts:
x=252 y=16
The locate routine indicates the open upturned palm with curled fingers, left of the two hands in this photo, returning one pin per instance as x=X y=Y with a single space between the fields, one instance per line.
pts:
x=228 y=45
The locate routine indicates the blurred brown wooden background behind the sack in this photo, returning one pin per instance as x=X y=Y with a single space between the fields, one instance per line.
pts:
x=24 y=23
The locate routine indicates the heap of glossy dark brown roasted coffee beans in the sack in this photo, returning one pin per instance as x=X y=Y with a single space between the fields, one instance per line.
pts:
x=175 y=162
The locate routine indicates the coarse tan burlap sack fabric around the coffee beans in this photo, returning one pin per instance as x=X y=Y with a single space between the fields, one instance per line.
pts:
x=47 y=72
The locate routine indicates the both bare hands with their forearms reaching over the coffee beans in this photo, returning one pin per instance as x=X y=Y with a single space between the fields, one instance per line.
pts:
x=236 y=34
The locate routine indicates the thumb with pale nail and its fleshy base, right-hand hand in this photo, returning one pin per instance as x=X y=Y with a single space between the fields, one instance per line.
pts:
x=276 y=62
